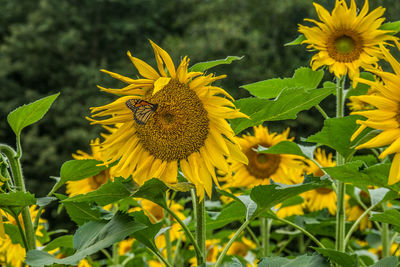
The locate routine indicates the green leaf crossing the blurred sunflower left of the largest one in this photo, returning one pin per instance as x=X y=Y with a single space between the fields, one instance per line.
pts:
x=74 y=170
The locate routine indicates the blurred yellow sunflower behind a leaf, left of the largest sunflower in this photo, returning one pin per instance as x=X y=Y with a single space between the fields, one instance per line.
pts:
x=91 y=183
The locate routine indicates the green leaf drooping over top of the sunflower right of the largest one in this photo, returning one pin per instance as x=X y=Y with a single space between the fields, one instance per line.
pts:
x=287 y=147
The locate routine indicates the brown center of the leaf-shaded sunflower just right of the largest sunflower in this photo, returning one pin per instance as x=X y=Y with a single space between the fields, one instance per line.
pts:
x=262 y=165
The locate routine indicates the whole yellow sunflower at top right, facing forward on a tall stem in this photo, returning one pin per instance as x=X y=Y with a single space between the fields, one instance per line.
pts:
x=345 y=40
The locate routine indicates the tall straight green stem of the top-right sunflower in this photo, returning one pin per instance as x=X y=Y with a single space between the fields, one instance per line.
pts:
x=341 y=187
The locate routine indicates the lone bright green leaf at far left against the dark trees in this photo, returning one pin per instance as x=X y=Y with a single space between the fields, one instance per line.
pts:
x=28 y=114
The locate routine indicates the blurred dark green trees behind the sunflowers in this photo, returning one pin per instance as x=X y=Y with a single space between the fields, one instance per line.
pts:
x=49 y=46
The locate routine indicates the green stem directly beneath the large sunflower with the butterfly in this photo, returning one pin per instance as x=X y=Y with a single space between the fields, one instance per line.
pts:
x=201 y=229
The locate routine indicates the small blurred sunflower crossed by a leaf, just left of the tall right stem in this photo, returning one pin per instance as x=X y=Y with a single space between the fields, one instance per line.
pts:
x=323 y=197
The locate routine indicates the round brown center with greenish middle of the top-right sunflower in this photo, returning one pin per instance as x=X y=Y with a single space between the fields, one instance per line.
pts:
x=345 y=46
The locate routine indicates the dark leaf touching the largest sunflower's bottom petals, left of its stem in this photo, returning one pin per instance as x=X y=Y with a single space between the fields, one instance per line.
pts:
x=153 y=190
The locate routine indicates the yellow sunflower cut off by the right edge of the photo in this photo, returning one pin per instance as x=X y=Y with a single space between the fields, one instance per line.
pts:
x=386 y=115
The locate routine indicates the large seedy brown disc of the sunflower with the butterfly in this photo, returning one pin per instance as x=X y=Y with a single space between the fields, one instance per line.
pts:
x=180 y=125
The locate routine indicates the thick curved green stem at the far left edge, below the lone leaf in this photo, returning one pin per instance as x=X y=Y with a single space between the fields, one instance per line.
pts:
x=16 y=170
